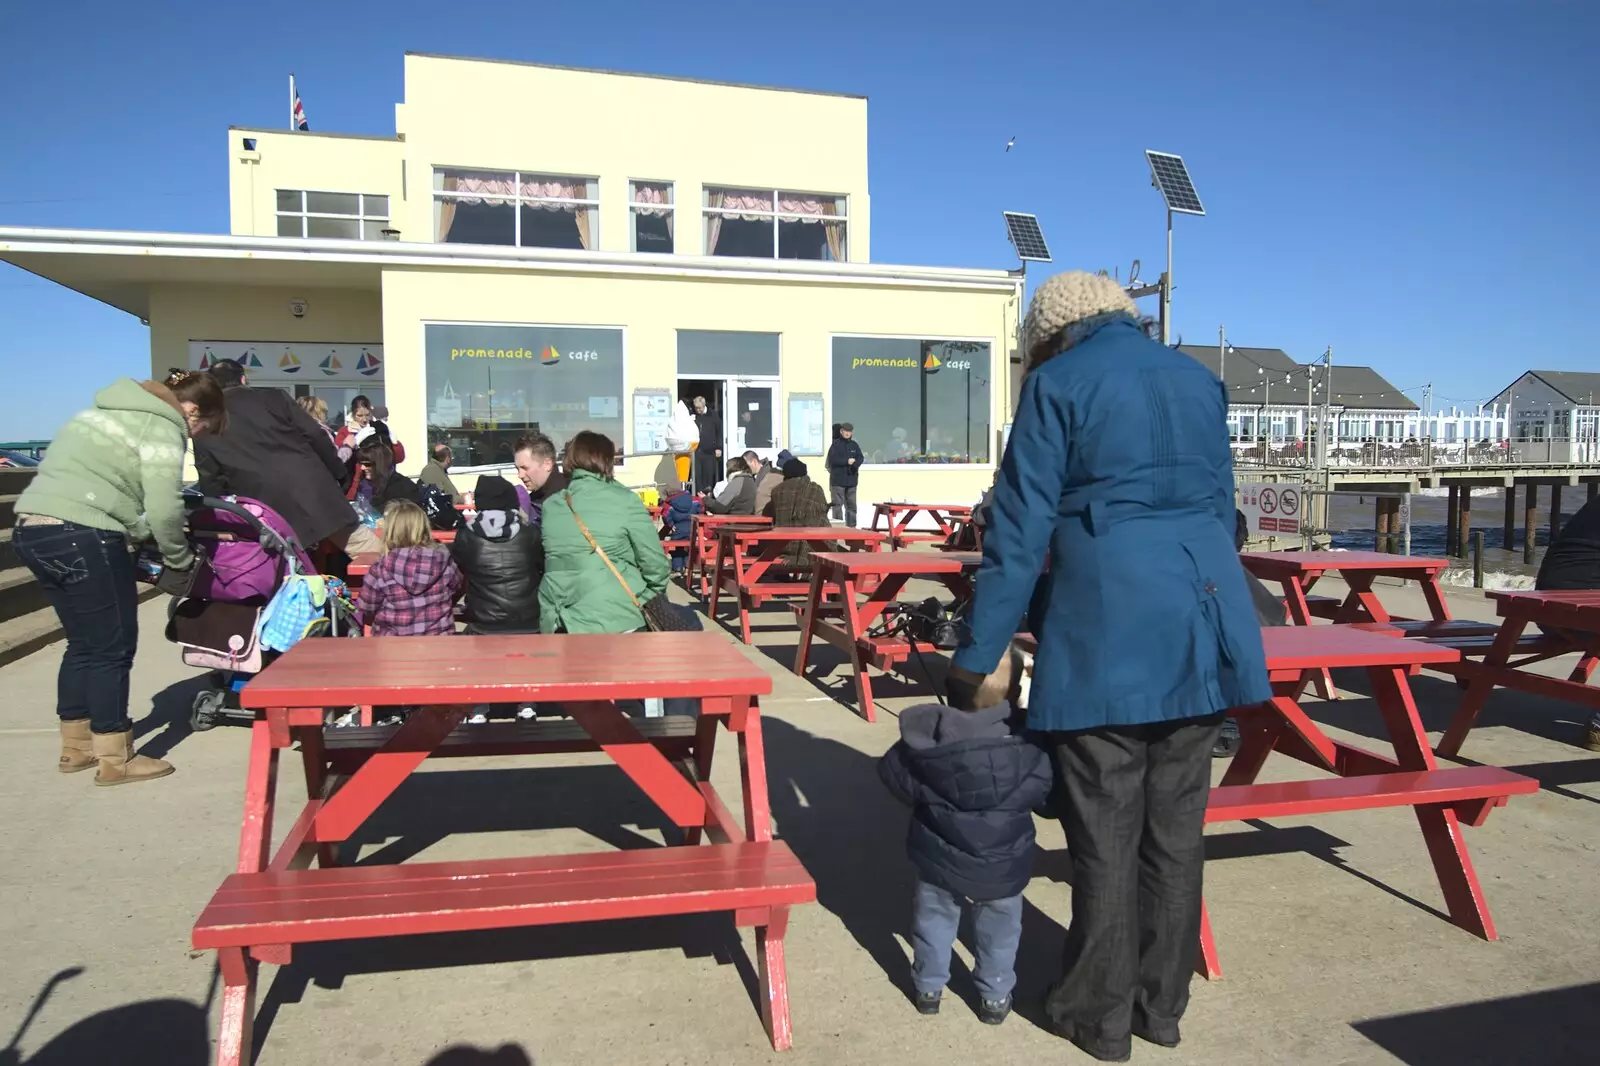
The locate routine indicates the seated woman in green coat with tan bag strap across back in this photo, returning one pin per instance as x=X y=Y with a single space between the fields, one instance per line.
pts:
x=580 y=593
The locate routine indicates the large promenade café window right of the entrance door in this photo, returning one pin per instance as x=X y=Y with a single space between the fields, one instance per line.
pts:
x=914 y=401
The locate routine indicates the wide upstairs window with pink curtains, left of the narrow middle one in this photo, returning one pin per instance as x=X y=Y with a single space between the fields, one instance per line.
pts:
x=495 y=207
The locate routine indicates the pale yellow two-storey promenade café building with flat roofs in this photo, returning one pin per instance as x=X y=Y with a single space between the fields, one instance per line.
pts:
x=545 y=249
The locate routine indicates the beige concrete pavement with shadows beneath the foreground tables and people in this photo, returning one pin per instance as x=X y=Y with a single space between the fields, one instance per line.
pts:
x=1329 y=928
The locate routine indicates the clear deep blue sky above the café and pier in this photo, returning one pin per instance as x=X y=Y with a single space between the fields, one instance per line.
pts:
x=1410 y=182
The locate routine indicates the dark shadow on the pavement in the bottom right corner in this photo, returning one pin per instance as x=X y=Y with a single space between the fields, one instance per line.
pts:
x=1554 y=1027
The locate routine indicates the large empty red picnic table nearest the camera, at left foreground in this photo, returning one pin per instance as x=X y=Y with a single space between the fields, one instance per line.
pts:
x=274 y=902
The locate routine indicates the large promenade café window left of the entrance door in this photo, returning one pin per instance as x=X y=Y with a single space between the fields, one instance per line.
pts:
x=489 y=385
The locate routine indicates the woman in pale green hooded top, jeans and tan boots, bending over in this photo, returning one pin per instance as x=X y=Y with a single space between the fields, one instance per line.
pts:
x=110 y=481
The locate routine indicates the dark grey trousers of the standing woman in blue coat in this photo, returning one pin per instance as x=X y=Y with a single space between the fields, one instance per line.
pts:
x=1135 y=812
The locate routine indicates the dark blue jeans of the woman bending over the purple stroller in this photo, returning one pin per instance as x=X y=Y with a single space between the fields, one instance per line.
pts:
x=89 y=577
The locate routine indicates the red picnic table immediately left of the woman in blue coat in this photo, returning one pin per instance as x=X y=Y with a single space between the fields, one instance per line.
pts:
x=852 y=574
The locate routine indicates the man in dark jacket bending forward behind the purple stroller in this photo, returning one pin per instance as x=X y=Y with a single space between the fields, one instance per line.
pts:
x=276 y=452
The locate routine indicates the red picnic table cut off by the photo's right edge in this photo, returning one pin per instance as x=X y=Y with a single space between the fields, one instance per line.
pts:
x=1510 y=651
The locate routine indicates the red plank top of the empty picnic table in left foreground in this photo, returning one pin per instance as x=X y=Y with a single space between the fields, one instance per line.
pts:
x=329 y=671
